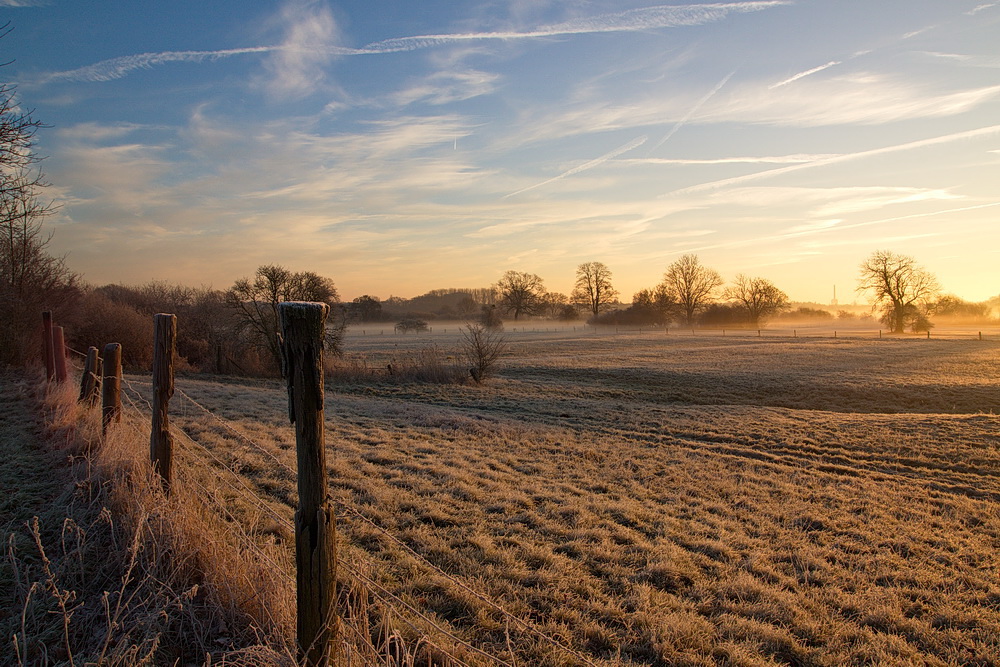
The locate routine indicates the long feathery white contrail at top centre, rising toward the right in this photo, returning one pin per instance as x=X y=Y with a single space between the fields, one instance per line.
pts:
x=634 y=20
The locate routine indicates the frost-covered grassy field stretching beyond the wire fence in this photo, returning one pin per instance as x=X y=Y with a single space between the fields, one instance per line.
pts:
x=651 y=499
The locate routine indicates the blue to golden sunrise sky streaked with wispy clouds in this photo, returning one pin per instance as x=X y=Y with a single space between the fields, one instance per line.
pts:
x=398 y=147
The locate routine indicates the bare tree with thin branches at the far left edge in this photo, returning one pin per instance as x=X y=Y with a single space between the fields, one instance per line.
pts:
x=31 y=279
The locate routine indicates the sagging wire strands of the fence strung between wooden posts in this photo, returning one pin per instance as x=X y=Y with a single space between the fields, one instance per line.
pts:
x=199 y=456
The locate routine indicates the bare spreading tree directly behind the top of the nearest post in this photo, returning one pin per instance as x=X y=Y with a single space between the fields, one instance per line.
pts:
x=255 y=304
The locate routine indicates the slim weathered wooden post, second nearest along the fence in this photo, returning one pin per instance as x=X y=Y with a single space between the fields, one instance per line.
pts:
x=161 y=445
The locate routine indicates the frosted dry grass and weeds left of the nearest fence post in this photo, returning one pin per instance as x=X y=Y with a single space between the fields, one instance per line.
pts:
x=102 y=568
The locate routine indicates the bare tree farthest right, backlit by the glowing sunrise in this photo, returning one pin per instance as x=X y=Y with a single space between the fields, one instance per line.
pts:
x=899 y=286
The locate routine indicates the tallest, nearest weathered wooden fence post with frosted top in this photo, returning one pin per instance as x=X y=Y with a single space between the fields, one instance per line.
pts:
x=302 y=329
